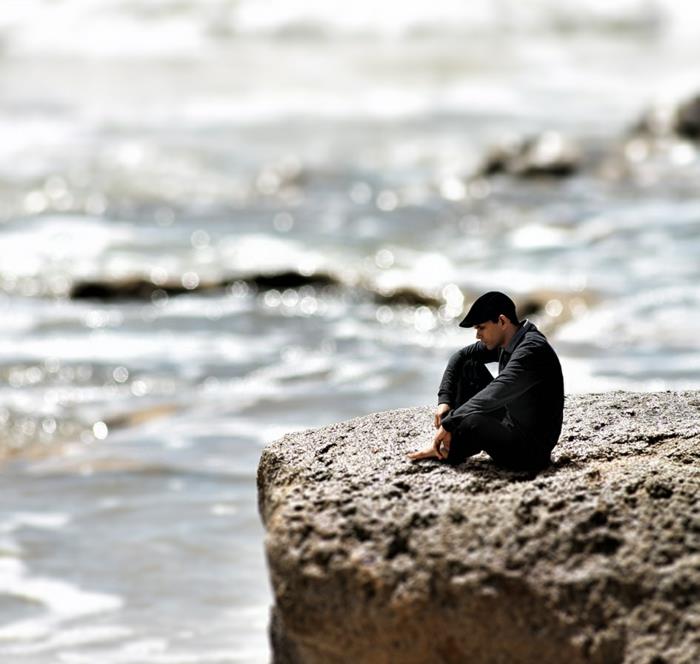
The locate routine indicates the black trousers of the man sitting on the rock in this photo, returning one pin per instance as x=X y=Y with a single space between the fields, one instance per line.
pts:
x=489 y=431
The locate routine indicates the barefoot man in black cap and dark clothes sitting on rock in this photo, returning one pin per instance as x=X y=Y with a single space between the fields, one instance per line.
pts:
x=516 y=418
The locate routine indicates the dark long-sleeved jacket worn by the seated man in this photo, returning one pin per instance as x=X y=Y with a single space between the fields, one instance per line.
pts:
x=528 y=392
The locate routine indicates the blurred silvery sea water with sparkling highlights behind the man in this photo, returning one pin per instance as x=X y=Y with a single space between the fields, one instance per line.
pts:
x=186 y=144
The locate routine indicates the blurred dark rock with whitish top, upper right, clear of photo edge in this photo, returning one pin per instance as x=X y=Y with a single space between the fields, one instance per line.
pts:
x=547 y=154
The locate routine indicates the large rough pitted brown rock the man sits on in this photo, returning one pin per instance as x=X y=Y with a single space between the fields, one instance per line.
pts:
x=375 y=559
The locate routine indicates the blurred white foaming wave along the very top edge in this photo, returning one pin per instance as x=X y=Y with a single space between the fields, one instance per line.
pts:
x=168 y=28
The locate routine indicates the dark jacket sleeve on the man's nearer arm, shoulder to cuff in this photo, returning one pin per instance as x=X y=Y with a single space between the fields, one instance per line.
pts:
x=519 y=375
